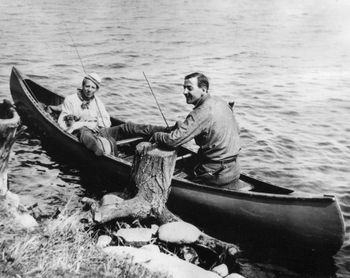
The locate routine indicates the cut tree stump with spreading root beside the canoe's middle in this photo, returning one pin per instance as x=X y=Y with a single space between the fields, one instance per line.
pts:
x=151 y=176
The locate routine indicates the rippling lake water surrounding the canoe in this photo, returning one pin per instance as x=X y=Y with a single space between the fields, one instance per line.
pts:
x=286 y=64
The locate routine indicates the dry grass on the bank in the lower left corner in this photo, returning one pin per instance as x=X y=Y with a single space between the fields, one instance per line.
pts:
x=60 y=247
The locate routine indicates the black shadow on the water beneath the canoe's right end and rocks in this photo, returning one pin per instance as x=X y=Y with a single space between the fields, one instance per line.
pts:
x=268 y=255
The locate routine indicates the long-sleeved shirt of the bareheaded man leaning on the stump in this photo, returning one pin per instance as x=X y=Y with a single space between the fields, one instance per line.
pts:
x=212 y=125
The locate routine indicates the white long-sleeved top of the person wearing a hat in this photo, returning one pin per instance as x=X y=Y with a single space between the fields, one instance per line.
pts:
x=94 y=115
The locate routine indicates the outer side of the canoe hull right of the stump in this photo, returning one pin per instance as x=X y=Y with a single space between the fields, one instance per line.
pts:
x=309 y=223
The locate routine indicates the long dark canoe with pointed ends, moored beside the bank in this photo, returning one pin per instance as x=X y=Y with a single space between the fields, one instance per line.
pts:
x=258 y=210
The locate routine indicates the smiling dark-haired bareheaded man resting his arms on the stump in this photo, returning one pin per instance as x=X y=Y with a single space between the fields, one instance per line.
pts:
x=215 y=130
